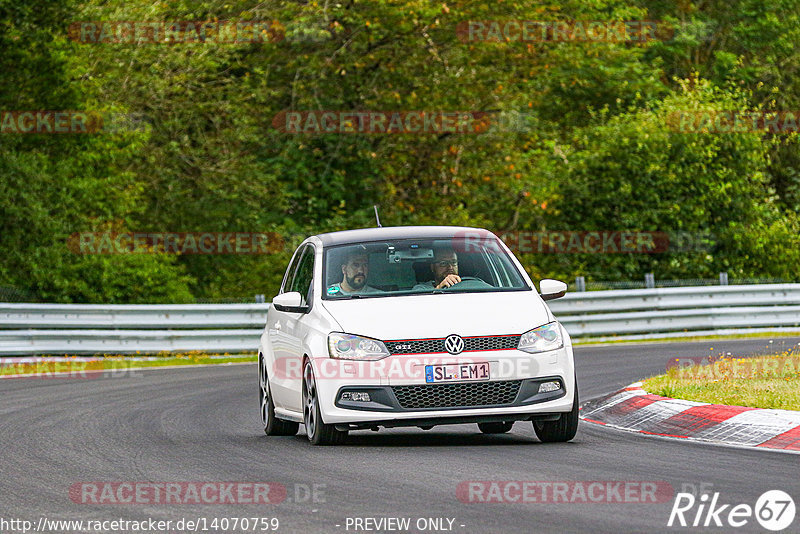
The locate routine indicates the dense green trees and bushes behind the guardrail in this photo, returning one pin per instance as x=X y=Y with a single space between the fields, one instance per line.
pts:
x=588 y=146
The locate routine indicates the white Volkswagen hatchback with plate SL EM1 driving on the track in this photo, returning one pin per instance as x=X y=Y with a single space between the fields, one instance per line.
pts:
x=413 y=326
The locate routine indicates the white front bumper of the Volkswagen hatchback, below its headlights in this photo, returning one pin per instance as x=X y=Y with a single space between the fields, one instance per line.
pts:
x=390 y=391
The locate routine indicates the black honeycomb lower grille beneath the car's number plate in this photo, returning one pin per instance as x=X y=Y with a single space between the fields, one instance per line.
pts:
x=461 y=395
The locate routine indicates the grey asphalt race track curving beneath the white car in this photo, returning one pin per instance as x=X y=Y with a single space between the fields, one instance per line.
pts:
x=202 y=424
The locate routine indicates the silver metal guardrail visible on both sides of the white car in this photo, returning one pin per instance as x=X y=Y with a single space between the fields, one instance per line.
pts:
x=27 y=329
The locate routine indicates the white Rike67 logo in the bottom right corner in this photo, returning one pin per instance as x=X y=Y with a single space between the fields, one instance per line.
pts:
x=774 y=510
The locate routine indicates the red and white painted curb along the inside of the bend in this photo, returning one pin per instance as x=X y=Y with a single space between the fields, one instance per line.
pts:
x=635 y=410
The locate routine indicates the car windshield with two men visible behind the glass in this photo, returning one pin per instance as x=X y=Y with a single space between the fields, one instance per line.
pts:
x=418 y=266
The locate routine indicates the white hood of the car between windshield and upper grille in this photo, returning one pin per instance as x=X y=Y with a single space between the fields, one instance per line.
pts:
x=437 y=316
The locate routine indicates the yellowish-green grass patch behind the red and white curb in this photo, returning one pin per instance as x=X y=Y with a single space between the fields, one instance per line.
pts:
x=771 y=381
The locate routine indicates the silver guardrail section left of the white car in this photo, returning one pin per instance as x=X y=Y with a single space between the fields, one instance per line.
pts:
x=27 y=329
